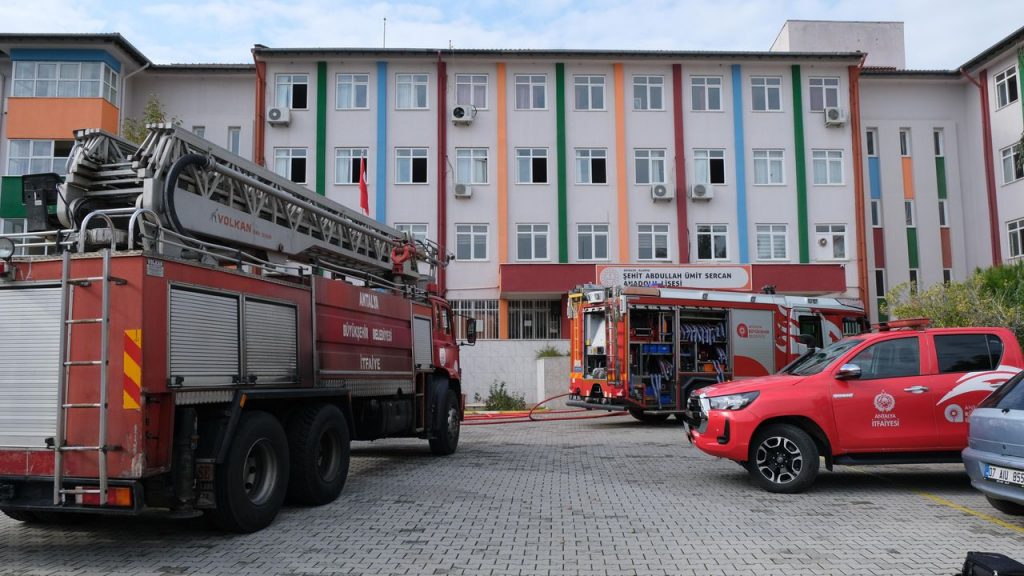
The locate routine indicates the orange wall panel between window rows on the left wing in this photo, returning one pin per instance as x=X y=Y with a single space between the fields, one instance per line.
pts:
x=59 y=118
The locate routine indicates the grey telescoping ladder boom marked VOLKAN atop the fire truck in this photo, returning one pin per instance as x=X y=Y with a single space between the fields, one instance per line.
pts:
x=200 y=190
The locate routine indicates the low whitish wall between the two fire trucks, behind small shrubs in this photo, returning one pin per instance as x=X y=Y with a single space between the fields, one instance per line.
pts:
x=511 y=362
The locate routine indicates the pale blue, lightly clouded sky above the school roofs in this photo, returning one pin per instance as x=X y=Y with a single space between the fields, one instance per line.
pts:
x=940 y=34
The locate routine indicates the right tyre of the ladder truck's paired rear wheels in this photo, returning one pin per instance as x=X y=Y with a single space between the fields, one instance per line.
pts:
x=319 y=444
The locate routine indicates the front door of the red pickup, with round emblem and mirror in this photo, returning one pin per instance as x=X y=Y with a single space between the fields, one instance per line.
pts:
x=891 y=405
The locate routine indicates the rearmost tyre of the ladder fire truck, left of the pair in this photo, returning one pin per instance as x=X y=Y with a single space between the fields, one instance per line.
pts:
x=251 y=484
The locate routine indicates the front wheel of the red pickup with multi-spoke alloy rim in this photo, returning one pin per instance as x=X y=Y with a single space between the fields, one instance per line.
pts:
x=784 y=460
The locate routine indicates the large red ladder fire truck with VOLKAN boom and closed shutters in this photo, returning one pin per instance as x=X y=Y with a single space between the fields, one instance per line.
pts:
x=187 y=332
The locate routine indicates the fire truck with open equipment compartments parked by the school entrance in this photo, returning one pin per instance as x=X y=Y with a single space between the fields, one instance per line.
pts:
x=646 y=349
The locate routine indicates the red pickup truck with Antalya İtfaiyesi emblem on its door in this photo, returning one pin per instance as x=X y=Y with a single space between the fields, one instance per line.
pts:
x=895 y=396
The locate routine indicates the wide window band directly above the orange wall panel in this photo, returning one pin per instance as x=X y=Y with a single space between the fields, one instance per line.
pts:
x=66 y=80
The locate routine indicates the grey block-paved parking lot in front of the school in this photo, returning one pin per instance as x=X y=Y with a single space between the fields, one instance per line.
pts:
x=605 y=497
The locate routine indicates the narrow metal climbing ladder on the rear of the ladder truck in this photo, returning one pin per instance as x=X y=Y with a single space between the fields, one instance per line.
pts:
x=65 y=378
